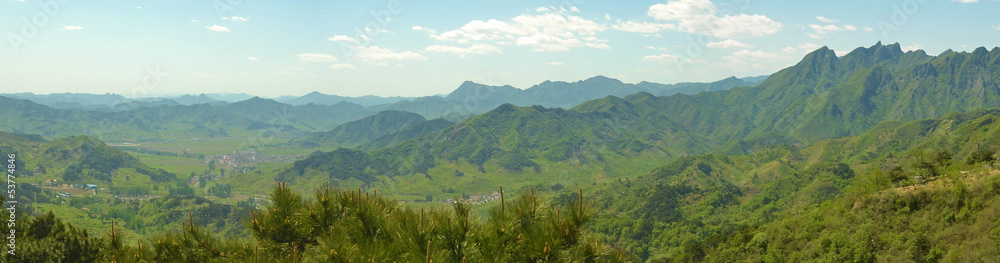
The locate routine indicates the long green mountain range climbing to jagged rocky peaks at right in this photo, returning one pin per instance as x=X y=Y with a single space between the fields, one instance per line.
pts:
x=821 y=97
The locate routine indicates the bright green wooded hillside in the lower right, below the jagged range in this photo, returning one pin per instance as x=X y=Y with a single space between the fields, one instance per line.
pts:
x=714 y=204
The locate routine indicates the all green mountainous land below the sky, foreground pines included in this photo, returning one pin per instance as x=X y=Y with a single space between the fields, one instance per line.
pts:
x=878 y=155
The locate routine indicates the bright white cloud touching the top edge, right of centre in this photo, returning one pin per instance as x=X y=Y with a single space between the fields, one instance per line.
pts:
x=700 y=16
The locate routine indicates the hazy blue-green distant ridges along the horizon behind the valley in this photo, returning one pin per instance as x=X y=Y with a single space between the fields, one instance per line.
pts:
x=205 y=115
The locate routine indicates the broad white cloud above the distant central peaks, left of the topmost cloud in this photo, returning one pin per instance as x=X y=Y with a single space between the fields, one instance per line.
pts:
x=544 y=32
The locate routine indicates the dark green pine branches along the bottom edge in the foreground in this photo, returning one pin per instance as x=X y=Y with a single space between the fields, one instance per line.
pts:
x=343 y=226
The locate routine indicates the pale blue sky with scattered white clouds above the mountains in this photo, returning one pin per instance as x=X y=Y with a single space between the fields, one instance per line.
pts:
x=420 y=48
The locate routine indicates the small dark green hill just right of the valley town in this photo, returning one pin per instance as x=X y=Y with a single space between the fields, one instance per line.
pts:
x=355 y=133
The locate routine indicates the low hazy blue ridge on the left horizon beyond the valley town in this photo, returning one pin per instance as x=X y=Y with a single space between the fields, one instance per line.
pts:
x=140 y=121
